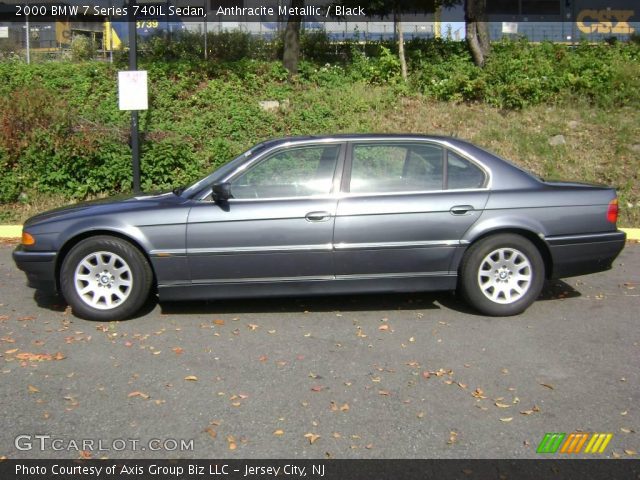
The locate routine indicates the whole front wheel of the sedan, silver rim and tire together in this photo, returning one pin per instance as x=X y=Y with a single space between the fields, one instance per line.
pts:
x=105 y=278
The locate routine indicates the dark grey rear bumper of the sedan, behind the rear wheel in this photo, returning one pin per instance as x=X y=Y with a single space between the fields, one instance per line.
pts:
x=574 y=255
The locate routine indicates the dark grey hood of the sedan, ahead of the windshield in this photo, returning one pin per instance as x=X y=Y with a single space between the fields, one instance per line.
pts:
x=103 y=205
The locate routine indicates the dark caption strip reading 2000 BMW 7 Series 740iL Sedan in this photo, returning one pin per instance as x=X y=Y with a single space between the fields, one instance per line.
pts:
x=588 y=12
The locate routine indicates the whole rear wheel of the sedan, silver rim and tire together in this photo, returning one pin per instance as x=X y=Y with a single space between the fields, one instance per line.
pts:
x=502 y=275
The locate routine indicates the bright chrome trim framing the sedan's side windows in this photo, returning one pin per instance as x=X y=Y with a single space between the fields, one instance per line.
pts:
x=346 y=141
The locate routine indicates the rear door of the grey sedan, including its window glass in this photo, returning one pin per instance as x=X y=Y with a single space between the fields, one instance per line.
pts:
x=405 y=206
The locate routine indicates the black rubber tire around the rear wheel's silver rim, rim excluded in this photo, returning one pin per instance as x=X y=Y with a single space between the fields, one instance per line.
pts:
x=469 y=274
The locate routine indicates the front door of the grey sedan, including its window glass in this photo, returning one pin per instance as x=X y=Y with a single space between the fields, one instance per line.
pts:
x=278 y=225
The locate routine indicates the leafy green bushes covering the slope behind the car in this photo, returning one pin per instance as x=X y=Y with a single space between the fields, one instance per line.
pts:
x=61 y=130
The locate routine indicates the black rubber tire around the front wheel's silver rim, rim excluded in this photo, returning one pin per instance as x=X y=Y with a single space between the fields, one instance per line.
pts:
x=140 y=272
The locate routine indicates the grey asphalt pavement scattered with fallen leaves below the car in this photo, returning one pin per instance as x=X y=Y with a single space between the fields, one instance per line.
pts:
x=384 y=376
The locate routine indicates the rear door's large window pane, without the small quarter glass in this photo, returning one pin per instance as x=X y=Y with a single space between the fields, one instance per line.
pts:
x=398 y=167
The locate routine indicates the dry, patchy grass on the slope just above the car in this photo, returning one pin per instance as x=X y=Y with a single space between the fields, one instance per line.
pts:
x=599 y=142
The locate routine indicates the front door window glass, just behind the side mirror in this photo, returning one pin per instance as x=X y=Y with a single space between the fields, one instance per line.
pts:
x=293 y=172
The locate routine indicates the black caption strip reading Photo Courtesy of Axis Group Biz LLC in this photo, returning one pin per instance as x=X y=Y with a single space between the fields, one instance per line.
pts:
x=321 y=469
